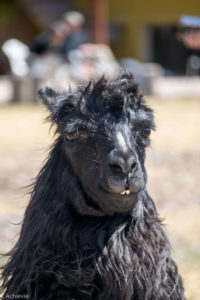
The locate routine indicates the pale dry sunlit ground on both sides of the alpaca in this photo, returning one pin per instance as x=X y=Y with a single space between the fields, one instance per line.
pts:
x=173 y=164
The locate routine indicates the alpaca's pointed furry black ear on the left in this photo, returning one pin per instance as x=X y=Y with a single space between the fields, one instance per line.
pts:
x=52 y=100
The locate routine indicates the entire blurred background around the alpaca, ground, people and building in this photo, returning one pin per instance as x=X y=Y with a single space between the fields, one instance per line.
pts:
x=61 y=43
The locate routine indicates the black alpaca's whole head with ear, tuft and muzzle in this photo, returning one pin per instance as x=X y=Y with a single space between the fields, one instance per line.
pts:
x=105 y=128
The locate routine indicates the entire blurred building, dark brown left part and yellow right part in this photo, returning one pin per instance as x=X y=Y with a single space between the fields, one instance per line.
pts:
x=140 y=29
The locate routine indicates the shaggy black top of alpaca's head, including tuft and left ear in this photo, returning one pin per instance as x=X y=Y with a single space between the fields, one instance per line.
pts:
x=108 y=95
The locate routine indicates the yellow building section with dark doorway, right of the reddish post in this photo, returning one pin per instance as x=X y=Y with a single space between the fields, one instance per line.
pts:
x=146 y=30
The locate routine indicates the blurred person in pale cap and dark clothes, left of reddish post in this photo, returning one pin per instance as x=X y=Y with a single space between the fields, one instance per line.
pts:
x=50 y=50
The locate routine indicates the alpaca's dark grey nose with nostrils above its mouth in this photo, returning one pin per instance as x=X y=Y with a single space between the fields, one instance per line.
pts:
x=120 y=164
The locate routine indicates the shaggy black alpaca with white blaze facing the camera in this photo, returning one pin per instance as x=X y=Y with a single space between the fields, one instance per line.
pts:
x=91 y=231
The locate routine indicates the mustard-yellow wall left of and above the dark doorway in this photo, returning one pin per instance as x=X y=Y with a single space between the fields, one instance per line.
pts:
x=135 y=17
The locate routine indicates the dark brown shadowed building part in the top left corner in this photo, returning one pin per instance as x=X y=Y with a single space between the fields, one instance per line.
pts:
x=24 y=19
